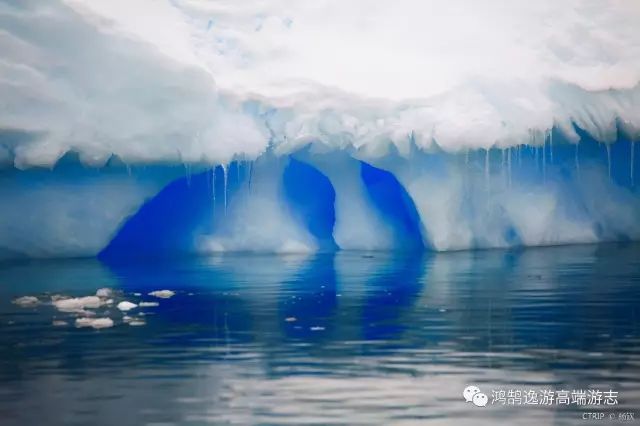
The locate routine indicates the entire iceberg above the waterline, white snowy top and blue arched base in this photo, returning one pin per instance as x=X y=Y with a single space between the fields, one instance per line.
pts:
x=156 y=127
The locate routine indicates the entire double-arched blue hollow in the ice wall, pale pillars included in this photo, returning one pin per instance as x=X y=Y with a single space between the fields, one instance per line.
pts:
x=275 y=204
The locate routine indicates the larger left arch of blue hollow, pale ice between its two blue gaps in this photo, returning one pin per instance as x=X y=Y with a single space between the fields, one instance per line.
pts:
x=242 y=206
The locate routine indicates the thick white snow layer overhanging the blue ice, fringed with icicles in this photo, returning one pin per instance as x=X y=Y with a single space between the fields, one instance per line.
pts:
x=204 y=82
